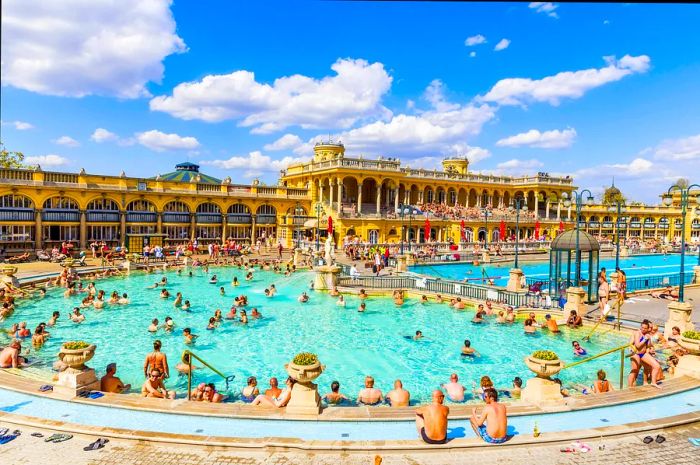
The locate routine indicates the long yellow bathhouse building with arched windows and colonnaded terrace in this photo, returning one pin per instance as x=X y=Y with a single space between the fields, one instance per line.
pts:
x=39 y=208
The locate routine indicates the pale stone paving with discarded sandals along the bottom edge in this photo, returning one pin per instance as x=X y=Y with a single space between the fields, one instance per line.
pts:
x=624 y=450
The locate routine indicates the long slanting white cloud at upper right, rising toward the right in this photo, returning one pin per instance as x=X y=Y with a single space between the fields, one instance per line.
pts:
x=566 y=84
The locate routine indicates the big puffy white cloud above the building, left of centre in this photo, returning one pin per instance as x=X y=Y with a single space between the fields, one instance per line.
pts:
x=341 y=100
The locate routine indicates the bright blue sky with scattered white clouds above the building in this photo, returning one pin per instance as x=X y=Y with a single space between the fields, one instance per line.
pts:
x=594 y=91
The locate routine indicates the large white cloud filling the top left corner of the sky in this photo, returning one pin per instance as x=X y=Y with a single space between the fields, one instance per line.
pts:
x=87 y=47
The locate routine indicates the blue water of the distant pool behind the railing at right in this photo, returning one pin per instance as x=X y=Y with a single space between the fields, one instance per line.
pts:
x=640 y=265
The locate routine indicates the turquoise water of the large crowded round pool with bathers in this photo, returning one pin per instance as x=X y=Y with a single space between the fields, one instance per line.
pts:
x=350 y=344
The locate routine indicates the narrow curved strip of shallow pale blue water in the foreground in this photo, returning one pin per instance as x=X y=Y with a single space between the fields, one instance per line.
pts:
x=25 y=404
